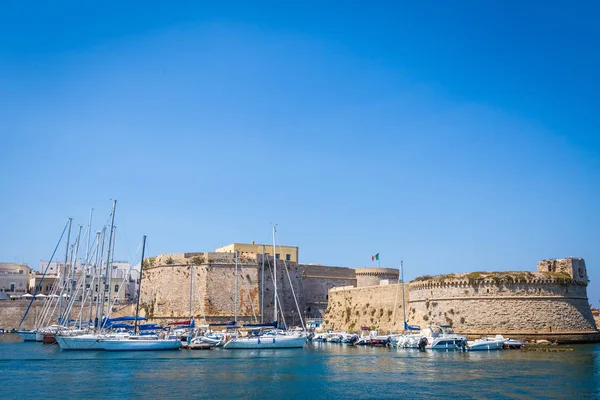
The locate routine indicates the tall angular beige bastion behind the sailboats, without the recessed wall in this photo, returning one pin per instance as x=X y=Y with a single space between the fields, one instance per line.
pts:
x=165 y=290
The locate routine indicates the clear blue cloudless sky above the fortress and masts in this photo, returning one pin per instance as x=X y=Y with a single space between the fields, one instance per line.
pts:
x=455 y=136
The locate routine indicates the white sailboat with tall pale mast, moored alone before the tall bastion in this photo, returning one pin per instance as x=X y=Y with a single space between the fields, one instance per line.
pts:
x=273 y=338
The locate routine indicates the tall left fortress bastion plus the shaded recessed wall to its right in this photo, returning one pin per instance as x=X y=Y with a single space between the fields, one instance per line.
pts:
x=167 y=284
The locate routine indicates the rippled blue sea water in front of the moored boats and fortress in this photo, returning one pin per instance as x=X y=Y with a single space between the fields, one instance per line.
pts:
x=321 y=371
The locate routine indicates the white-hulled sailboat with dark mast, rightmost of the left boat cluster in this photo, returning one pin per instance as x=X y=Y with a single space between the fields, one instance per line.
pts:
x=140 y=342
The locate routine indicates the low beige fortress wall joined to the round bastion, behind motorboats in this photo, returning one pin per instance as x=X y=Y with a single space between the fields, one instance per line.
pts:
x=549 y=303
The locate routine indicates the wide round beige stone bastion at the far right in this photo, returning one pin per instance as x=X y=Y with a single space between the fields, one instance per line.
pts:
x=548 y=303
